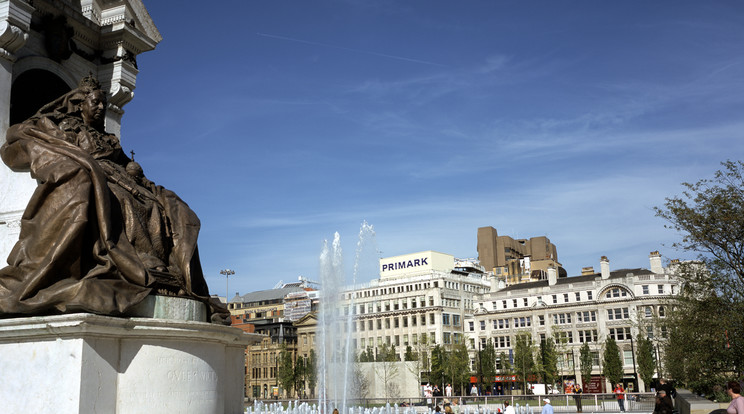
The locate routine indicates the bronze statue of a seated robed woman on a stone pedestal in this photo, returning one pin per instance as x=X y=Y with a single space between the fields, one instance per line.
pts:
x=97 y=235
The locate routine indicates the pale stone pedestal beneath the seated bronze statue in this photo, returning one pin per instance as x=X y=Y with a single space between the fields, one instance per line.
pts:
x=85 y=363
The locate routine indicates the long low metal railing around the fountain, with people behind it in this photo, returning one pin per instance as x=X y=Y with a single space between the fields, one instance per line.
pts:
x=562 y=403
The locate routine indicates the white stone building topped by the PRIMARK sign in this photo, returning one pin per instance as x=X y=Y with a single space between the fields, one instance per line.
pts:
x=421 y=293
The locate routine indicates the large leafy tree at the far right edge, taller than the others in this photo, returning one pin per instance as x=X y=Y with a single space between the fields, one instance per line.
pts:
x=706 y=322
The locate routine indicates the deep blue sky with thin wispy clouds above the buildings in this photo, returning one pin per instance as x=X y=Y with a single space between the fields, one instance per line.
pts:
x=283 y=122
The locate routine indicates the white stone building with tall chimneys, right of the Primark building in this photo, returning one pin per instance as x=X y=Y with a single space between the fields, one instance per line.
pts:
x=622 y=304
